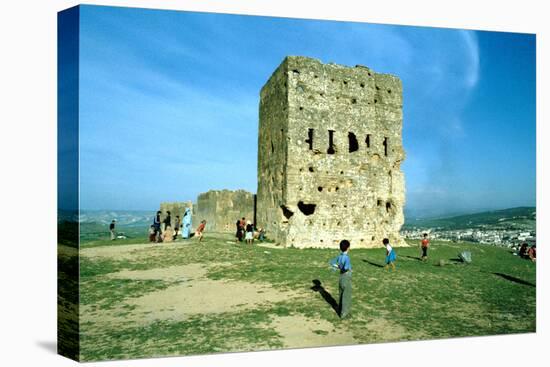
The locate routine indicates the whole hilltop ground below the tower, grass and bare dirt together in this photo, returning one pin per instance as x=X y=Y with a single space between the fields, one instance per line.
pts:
x=169 y=299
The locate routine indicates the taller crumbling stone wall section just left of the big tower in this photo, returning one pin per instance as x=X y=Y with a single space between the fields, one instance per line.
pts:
x=221 y=209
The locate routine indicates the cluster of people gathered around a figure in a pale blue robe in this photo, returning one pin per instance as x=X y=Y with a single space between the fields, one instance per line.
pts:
x=162 y=230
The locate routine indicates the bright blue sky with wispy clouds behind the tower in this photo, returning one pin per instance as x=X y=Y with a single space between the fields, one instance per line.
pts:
x=169 y=104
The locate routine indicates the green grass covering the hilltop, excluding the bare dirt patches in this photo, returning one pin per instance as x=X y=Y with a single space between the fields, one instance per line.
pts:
x=496 y=294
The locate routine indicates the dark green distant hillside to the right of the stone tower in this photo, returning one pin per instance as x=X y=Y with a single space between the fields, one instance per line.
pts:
x=517 y=218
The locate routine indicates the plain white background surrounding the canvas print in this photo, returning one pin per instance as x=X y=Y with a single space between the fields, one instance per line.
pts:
x=28 y=183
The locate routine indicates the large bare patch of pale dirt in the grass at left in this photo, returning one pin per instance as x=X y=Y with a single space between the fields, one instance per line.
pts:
x=191 y=294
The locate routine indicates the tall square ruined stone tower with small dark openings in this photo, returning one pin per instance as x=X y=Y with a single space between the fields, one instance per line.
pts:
x=329 y=155
